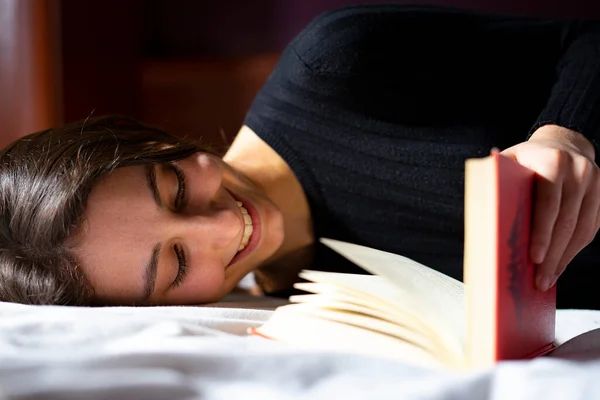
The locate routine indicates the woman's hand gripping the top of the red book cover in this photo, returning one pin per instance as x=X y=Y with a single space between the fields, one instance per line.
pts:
x=567 y=199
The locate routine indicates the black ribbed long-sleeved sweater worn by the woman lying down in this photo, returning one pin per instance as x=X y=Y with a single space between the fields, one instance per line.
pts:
x=376 y=108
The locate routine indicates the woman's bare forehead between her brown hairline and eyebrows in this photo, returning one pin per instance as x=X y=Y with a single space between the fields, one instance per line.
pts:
x=115 y=239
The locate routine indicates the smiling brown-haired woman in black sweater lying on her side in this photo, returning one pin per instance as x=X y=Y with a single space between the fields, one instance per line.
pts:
x=360 y=134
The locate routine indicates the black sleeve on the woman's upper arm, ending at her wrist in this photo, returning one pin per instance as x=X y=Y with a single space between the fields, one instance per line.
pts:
x=438 y=65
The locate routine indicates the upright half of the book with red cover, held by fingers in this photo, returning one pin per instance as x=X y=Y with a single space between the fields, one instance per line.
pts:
x=508 y=317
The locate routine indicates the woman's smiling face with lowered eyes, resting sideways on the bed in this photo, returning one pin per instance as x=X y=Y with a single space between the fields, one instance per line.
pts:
x=172 y=233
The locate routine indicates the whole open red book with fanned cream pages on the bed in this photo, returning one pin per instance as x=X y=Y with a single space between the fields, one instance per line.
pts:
x=410 y=312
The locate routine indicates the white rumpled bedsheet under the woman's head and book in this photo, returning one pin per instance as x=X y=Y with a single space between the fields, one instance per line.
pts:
x=202 y=353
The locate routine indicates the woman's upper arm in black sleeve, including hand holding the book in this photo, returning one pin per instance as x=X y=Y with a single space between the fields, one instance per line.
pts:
x=438 y=65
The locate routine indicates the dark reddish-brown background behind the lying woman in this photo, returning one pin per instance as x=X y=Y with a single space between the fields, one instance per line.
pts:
x=190 y=66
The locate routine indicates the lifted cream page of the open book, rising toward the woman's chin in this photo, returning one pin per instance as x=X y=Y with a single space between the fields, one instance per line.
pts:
x=435 y=297
